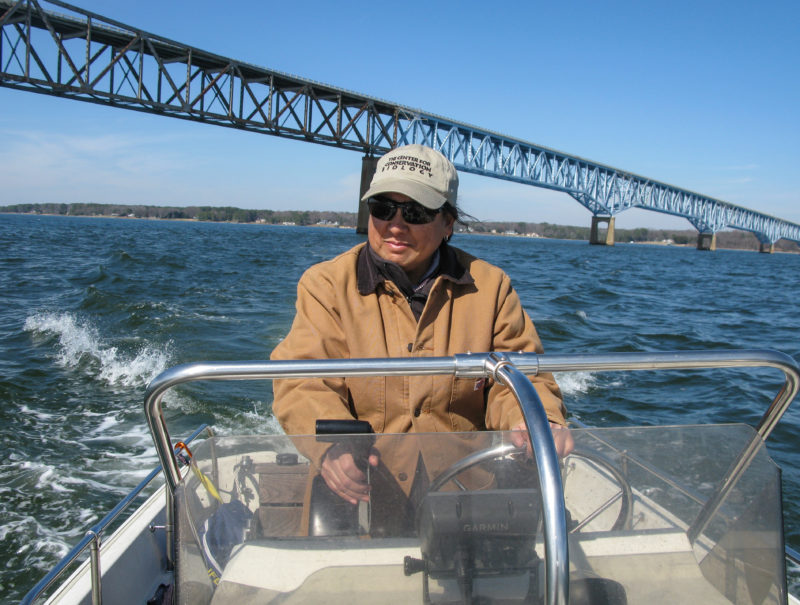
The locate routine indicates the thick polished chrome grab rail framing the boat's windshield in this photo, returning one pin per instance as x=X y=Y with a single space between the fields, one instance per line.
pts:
x=507 y=368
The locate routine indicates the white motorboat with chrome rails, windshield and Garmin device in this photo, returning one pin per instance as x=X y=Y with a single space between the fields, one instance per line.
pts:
x=650 y=514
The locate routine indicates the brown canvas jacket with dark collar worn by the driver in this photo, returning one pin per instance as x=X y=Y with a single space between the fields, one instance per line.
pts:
x=335 y=321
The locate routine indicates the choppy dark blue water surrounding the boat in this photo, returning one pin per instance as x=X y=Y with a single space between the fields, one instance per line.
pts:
x=92 y=309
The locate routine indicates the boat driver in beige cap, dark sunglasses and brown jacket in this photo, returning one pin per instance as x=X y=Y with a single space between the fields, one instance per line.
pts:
x=406 y=293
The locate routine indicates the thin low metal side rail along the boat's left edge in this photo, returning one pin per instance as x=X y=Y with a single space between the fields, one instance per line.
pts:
x=92 y=541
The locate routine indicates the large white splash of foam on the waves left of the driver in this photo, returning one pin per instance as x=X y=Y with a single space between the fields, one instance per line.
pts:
x=79 y=341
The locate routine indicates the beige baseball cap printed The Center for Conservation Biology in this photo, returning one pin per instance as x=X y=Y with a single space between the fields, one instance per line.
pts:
x=419 y=172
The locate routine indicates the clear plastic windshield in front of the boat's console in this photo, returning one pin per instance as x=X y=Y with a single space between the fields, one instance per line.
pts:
x=456 y=518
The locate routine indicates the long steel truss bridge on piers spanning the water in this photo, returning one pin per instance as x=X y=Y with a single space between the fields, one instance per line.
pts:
x=73 y=53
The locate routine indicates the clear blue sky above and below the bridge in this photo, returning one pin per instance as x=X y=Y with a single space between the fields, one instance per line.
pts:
x=699 y=94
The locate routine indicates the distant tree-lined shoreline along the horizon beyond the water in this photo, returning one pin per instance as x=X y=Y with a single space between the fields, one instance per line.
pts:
x=725 y=239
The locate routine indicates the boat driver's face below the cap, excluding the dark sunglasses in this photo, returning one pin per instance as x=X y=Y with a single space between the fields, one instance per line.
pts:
x=410 y=246
